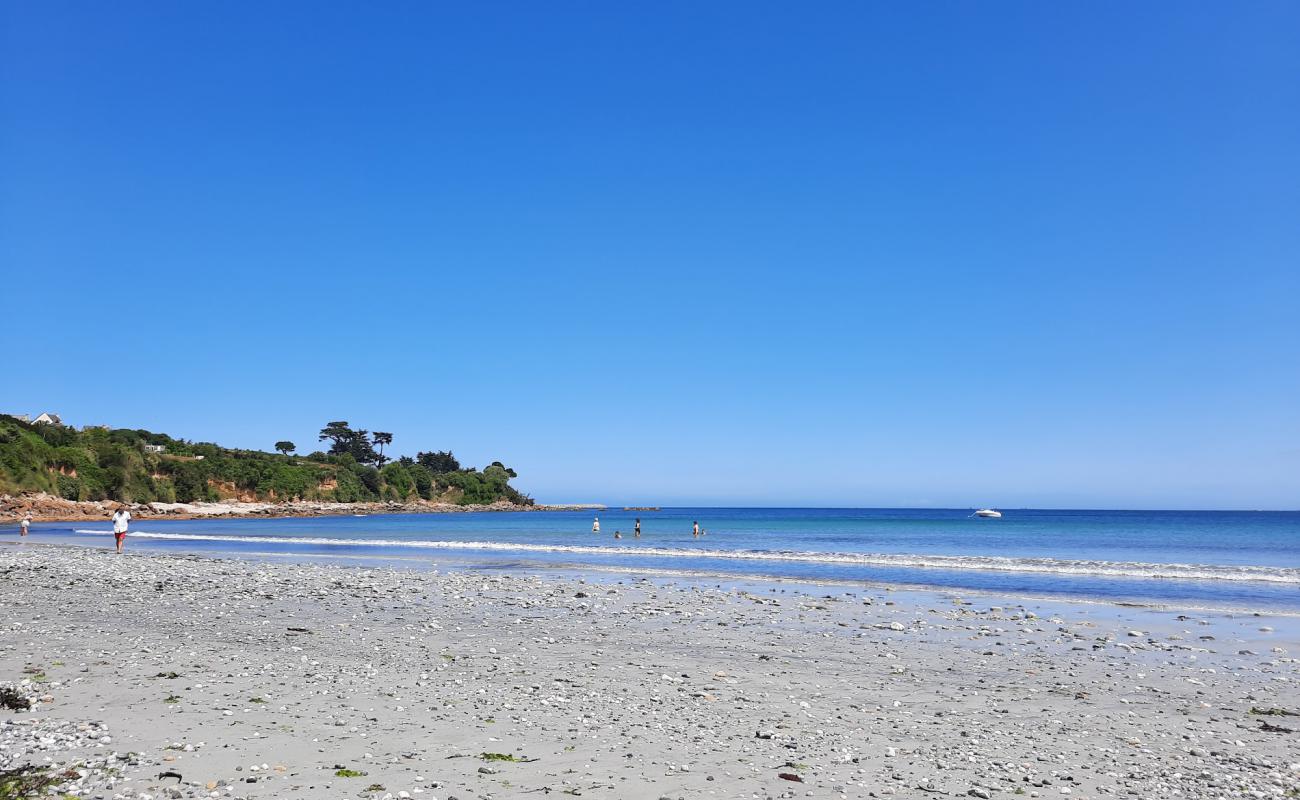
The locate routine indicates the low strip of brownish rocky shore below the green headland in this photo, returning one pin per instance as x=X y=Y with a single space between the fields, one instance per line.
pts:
x=49 y=508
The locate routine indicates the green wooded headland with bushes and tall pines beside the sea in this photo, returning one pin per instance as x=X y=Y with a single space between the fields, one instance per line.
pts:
x=125 y=465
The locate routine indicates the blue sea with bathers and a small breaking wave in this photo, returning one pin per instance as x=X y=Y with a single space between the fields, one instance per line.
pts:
x=1238 y=560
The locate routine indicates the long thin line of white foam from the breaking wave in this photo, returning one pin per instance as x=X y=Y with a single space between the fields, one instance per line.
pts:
x=1051 y=567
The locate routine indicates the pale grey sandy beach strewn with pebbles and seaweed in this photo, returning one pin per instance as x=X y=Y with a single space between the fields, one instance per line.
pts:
x=157 y=676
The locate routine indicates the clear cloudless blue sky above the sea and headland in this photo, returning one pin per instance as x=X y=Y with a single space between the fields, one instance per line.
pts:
x=1012 y=254
